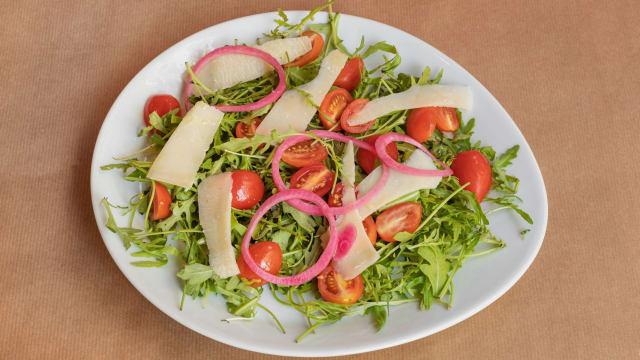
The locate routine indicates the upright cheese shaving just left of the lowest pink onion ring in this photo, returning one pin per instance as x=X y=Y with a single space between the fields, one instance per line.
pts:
x=214 y=209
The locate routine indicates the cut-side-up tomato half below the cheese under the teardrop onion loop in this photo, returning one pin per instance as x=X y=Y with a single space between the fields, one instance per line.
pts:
x=398 y=218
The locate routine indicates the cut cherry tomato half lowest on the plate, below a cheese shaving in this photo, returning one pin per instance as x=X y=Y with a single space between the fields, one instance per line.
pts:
x=337 y=290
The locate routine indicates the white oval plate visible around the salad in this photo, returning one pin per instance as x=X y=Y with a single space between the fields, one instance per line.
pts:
x=478 y=283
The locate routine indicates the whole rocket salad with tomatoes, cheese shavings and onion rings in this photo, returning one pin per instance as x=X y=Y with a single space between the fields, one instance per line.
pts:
x=291 y=167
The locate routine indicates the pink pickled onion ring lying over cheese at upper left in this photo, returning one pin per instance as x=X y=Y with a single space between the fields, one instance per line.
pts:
x=244 y=50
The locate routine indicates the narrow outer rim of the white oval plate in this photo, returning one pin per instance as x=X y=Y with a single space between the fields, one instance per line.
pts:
x=357 y=349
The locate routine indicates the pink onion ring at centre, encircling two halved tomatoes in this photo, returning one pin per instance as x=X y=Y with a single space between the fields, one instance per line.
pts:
x=313 y=209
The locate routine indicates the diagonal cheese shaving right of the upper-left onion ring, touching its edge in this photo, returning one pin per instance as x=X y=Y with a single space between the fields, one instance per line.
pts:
x=293 y=112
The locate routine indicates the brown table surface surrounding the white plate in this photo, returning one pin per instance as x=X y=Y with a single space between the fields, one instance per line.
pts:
x=566 y=71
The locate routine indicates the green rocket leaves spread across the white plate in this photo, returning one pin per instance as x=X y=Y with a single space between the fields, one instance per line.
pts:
x=418 y=268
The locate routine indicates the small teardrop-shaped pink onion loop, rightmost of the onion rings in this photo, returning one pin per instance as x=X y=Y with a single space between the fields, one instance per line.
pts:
x=384 y=140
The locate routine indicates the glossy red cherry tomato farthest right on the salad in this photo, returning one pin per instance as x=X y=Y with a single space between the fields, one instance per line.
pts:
x=472 y=167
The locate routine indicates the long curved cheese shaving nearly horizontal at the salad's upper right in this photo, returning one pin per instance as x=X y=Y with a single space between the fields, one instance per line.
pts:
x=417 y=96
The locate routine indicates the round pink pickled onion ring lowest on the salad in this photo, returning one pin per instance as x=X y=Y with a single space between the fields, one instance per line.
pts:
x=323 y=260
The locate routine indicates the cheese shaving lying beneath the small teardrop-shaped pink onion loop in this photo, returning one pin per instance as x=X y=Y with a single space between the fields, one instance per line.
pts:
x=399 y=184
